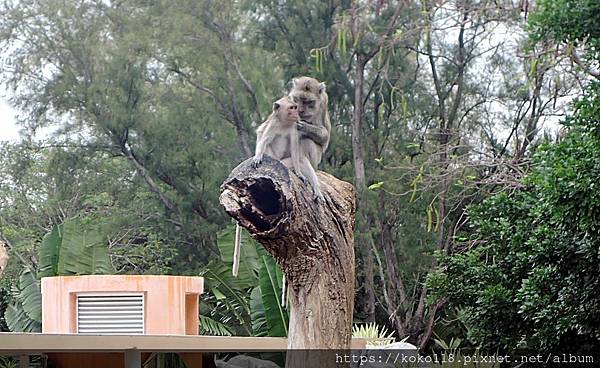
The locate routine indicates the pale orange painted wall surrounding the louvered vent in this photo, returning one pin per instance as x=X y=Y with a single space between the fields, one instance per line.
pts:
x=168 y=300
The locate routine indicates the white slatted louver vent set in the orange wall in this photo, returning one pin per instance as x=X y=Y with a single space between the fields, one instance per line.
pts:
x=113 y=314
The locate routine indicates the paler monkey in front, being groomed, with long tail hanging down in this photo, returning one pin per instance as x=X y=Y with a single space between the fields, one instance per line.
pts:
x=278 y=137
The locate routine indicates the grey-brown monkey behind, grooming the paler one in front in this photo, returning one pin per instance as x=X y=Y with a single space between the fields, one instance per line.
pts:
x=314 y=127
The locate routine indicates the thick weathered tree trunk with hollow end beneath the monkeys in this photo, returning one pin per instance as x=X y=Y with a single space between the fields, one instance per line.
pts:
x=312 y=242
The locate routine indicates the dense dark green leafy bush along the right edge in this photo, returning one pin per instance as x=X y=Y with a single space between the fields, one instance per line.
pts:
x=531 y=278
